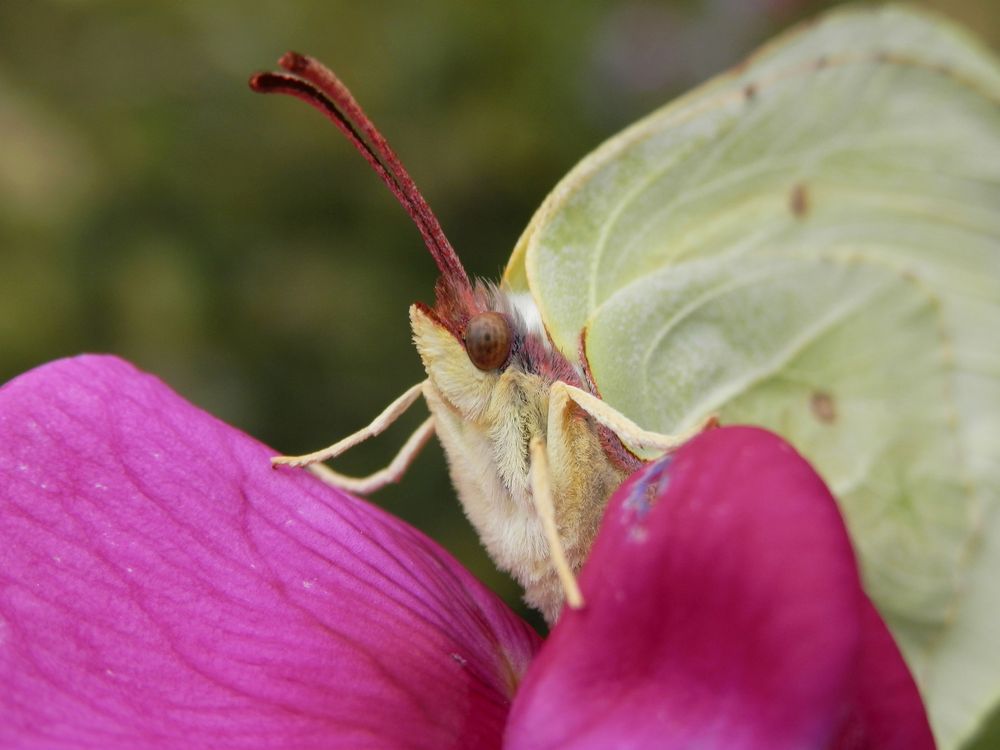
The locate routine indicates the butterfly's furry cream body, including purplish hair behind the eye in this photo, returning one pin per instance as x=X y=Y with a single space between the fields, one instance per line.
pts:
x=486 y=421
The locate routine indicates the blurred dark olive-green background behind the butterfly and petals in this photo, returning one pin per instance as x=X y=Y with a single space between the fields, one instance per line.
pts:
x=238 y=247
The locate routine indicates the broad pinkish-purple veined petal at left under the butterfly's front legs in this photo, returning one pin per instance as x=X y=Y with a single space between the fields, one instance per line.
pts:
x=162 y=586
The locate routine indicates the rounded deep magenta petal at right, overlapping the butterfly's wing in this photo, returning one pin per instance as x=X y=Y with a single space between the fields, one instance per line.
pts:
x=724 y=610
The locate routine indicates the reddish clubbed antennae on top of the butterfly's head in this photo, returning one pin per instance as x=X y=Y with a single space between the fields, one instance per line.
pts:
x=318 y=86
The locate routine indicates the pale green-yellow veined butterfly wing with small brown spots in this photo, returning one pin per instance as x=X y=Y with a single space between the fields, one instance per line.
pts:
x=811 y=242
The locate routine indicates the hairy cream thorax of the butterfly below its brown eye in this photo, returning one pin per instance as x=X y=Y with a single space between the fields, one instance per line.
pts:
x=489 y=464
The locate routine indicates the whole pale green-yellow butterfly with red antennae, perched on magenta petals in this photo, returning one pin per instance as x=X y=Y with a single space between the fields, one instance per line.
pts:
x=809 y=242
